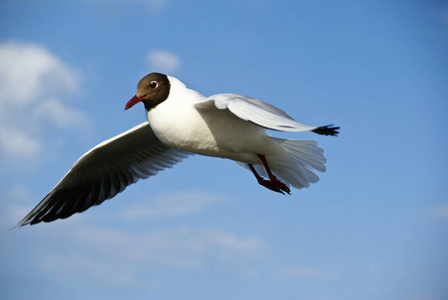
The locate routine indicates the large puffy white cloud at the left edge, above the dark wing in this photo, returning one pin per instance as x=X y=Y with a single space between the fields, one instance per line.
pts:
x=33 y=82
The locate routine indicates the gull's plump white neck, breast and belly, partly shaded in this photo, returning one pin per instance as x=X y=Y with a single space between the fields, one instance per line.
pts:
x=178 y=123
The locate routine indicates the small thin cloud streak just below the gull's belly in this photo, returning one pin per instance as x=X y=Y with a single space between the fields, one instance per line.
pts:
x=184 y=203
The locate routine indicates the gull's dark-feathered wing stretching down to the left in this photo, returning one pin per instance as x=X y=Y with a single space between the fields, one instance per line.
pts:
x=105 y=171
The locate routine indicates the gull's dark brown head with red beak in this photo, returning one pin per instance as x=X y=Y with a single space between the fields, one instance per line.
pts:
x=152 y=90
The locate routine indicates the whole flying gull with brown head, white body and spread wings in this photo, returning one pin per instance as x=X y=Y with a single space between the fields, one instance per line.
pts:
x=181 y=122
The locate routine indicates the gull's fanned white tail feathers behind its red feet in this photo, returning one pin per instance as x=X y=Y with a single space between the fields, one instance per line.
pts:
x=296 y=168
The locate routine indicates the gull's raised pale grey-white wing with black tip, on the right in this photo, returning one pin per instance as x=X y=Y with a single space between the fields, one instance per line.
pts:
x=261 y=113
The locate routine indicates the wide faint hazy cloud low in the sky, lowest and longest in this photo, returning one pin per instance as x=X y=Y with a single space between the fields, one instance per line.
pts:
x=120 y=258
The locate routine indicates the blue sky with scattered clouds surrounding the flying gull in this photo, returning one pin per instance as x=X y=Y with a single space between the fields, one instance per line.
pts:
x=374 y=227
